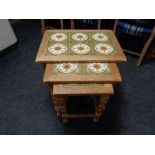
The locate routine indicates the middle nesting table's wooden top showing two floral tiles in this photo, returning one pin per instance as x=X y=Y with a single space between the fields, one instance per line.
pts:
x=82 y=73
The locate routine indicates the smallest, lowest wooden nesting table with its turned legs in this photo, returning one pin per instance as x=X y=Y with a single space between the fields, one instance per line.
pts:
x=62 y=91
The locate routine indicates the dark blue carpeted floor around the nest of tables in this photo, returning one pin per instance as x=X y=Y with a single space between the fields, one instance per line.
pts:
x=25 y=103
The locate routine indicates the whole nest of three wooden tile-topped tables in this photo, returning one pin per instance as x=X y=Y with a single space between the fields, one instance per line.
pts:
x=80 y=62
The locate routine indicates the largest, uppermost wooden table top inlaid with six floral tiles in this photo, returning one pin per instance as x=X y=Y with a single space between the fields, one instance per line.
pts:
x=79 y=46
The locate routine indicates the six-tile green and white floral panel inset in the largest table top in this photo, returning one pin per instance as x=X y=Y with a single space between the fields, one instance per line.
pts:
x=79 y=43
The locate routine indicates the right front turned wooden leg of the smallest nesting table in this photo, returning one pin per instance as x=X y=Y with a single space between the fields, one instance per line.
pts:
x=100 y=107
